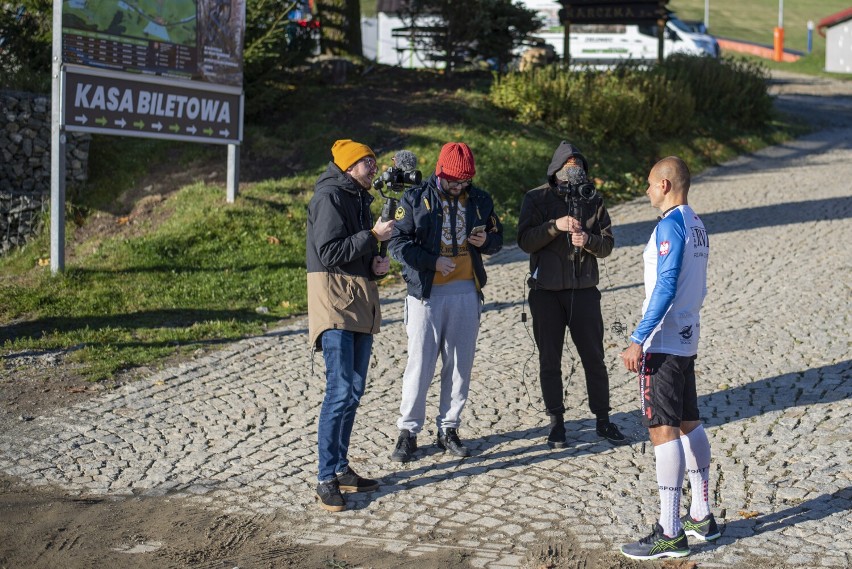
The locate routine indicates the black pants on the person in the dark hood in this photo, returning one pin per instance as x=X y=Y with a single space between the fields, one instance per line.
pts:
x=579 y=310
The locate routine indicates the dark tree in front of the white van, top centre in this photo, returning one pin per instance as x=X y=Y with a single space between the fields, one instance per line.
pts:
x=455 y=32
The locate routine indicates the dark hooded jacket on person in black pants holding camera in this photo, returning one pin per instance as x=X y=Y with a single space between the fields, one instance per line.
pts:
x=552 y=262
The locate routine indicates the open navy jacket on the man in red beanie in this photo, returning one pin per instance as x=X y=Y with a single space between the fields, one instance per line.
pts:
x=416 y=238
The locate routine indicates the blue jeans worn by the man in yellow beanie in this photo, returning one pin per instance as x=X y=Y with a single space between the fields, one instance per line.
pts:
x=347 y=357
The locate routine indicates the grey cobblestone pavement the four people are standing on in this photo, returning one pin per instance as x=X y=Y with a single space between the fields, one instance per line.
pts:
x=237 y=427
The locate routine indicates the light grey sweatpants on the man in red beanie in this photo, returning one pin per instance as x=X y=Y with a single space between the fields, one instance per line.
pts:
x=445 y=324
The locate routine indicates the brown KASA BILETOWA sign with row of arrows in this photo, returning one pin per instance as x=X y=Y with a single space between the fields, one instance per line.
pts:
x=147 y=106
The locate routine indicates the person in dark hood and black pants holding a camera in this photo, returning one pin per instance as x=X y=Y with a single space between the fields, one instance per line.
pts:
x=565 y=228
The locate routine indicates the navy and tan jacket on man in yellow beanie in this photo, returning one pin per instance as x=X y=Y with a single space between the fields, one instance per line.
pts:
x=340 y=248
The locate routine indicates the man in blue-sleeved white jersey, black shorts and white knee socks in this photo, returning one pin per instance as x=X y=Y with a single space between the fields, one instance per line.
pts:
x=662 y=350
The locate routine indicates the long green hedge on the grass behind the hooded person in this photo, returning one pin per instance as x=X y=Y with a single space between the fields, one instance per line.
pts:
x=629 y=104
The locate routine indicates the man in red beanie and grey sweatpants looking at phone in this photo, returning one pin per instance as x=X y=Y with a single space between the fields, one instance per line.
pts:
x=443 y=227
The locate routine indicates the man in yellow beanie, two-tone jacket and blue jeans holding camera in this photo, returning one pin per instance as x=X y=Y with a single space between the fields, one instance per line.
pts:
x=343 y=264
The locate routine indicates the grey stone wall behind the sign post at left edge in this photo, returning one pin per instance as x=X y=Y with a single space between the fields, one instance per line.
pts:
x=25 y=165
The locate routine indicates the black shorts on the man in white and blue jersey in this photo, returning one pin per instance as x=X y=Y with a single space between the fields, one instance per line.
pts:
x=667 y=390
